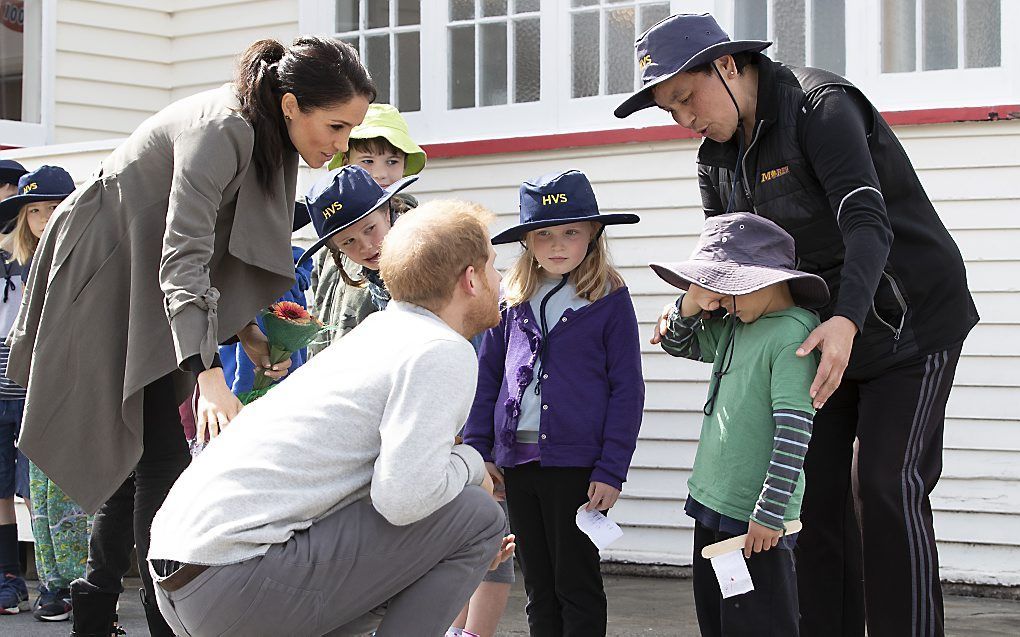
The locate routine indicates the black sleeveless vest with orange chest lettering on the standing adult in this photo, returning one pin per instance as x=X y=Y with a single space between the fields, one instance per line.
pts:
x=914 y=311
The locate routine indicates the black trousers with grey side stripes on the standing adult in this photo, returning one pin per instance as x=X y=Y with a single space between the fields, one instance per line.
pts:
x=882 y=569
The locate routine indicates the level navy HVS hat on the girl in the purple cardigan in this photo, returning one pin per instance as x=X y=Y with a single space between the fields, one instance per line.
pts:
x=558 y=199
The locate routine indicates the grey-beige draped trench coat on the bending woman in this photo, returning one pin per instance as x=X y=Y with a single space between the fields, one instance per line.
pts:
x=169 y=250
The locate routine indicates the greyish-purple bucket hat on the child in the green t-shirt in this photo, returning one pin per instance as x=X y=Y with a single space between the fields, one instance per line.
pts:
x=741 y=253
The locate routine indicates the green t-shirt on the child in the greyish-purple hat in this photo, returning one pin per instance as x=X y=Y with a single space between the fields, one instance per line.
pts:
x=737 y=440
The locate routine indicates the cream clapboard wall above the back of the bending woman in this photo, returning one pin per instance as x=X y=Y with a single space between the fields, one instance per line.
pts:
x=119 y=63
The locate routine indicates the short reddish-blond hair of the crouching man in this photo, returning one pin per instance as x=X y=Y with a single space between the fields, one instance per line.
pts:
x=426 y=254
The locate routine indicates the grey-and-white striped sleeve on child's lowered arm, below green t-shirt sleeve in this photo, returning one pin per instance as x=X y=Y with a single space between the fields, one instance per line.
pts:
x=790 y=446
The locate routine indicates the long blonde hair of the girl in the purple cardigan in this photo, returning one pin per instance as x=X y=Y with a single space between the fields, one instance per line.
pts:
x=594 y=279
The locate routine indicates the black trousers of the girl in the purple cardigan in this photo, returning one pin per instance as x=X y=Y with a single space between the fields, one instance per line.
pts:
x=559 y=563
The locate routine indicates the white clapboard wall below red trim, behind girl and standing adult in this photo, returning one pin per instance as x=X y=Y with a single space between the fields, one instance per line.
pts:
x=973 y=173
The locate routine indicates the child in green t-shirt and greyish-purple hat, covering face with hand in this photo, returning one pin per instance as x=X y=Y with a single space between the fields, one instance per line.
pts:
x=746 y=310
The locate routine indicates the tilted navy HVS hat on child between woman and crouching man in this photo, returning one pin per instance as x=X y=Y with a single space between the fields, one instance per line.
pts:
x=343 y=198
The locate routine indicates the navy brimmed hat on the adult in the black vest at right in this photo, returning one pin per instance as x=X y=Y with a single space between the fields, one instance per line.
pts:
x=677 y=44
